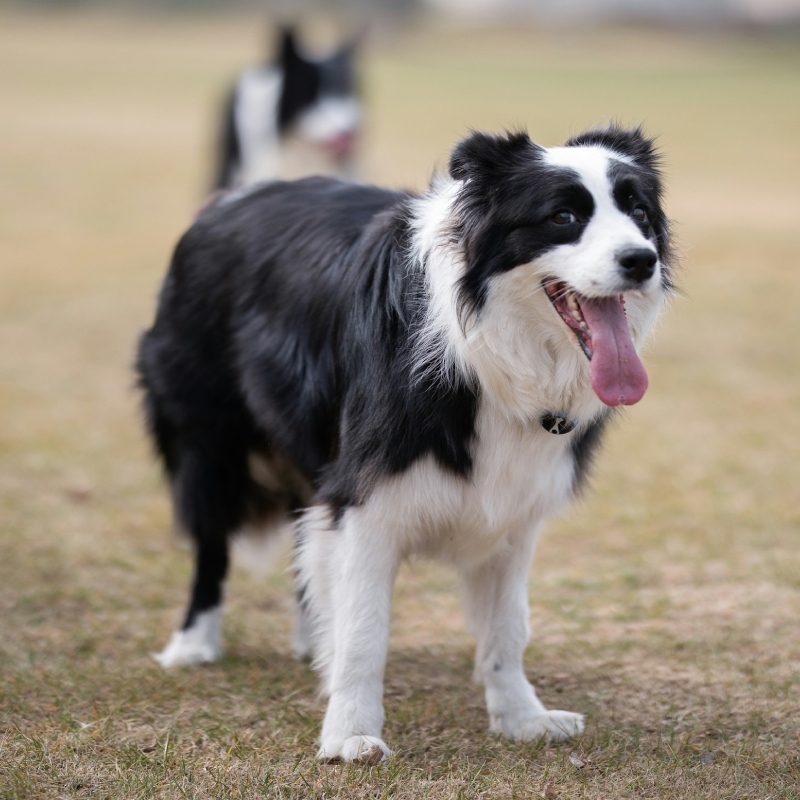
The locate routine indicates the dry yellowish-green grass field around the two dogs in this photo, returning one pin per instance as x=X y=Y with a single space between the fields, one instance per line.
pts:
x=666 y=606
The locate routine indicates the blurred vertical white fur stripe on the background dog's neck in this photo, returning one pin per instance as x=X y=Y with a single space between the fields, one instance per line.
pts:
x=256 y=114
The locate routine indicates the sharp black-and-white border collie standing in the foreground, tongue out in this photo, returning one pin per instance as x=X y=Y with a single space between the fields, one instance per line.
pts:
x=404 y=374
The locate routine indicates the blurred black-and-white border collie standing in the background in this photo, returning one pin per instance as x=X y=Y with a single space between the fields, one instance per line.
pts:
x=296 y=116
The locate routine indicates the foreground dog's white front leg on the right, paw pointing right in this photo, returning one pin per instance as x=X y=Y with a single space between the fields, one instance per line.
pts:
x=496 y=606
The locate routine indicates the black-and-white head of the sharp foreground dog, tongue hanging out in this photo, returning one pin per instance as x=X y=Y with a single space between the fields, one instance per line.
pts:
x=585 y=224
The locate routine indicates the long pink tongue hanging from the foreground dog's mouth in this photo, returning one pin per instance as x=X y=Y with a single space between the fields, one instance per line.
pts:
x=618 y=376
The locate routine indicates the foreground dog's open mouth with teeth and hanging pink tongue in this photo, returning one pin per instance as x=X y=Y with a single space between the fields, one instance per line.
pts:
x=601 y=327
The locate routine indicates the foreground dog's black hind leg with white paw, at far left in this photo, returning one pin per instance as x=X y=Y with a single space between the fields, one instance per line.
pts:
x=209 y=486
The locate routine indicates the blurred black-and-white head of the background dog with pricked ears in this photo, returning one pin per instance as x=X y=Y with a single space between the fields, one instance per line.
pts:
x=319 y=100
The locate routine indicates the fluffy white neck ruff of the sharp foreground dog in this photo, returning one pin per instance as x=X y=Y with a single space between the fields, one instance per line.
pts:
x=514 y=366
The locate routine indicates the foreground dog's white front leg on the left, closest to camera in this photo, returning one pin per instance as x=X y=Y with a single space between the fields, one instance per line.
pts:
x=362 y=571
